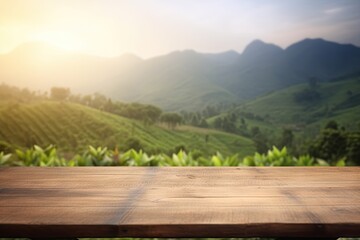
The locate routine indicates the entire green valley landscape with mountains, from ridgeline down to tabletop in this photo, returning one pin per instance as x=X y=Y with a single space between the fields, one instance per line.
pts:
x=267 y=106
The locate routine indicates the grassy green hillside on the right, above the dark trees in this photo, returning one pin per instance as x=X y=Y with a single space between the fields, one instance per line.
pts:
x=337 y=100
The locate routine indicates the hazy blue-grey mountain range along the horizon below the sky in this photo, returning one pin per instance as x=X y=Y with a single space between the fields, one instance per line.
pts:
x=181 y=80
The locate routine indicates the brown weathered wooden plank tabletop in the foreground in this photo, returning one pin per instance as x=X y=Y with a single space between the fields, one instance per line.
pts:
x=180 y=202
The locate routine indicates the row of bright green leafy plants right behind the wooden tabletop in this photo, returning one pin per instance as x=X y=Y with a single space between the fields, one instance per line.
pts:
x=101 y=156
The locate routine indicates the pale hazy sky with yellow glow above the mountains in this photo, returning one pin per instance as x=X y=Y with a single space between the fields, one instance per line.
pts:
x=154 y=27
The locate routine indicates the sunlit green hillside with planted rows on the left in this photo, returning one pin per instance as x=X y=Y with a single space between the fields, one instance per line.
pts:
x=73 y=127
